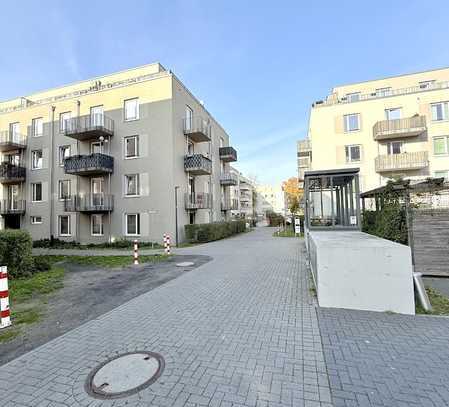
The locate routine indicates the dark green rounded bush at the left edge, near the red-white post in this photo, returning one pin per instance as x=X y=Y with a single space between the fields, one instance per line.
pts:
x=15 y=252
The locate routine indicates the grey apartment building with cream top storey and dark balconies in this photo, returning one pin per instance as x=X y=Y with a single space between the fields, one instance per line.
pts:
x=127 y=155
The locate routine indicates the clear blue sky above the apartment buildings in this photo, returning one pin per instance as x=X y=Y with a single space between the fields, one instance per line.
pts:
x=257 y=65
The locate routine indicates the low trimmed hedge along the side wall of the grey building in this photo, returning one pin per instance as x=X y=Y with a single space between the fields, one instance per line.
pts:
x=207 y=232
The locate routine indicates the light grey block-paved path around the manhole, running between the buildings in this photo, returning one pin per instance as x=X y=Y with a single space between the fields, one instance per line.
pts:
x=238 y=331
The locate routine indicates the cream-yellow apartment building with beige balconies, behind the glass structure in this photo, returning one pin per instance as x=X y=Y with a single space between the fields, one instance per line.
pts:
x=389 y=128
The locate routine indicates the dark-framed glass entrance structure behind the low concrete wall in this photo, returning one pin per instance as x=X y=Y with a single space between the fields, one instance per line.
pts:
x=332 y=199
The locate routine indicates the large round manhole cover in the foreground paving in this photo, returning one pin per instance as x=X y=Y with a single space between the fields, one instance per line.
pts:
x=124 y=374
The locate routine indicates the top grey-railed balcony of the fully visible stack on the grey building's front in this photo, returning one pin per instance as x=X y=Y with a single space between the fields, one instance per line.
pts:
x=88 y=127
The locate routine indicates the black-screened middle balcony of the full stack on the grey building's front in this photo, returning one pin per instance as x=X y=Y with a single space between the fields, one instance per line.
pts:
x=92 y=164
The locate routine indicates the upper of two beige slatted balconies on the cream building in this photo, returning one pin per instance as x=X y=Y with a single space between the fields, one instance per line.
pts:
x=398 y=128
